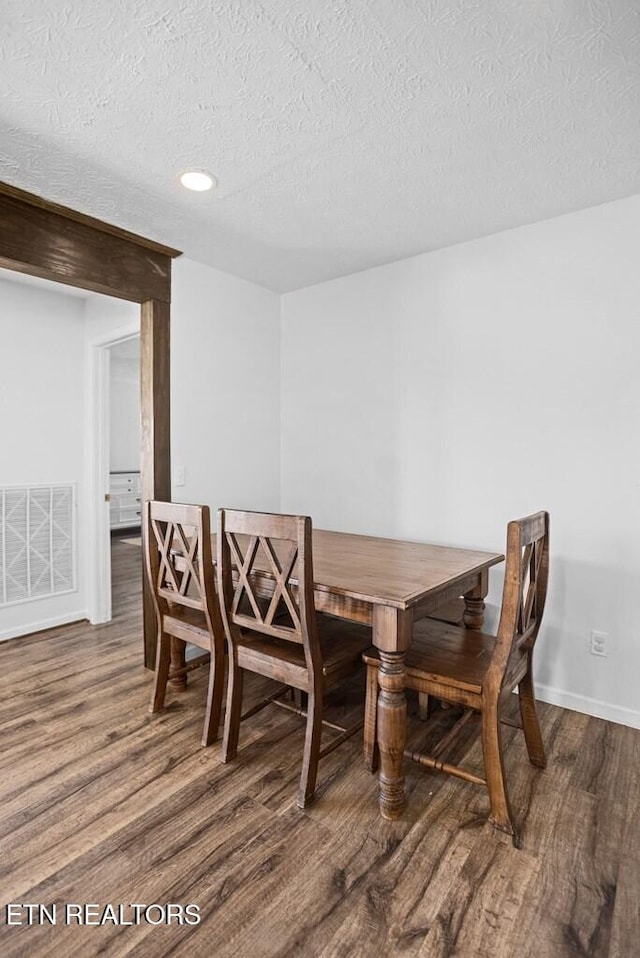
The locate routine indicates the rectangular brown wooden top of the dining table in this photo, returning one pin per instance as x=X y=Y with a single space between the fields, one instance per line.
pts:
x=389 y=572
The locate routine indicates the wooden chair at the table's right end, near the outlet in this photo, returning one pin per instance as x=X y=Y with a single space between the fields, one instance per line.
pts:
x=478 y=671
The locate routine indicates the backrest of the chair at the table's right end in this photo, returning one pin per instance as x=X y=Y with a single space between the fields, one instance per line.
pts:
x=524 y=594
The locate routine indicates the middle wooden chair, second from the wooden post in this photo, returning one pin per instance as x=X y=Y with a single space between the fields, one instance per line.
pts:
x=265 y=583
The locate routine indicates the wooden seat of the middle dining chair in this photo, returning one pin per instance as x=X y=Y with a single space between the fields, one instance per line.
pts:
x=342 y=644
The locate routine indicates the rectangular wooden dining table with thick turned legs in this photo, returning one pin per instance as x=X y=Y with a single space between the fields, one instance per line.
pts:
x=389 y=584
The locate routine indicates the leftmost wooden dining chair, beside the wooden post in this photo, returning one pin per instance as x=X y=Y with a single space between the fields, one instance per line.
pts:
x=182 y=582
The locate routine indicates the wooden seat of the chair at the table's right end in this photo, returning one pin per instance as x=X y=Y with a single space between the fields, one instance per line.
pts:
x=446 y=654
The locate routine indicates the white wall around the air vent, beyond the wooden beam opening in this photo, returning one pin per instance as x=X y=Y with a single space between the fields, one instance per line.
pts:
x=42 y=421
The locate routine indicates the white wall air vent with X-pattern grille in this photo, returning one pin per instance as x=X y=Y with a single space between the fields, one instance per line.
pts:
x=37 y=555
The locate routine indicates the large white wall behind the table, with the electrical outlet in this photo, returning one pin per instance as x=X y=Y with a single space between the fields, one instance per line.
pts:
x=438 y=397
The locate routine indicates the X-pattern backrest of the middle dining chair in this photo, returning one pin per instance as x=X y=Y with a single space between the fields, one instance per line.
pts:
x=265 y=577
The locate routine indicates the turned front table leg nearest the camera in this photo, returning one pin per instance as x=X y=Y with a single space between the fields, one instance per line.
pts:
x=392 y=635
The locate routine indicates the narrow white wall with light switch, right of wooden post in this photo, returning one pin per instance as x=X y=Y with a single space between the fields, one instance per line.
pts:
x=225 y=389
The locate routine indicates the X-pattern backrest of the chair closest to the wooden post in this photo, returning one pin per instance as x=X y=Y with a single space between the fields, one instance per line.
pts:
x=179 y=560
